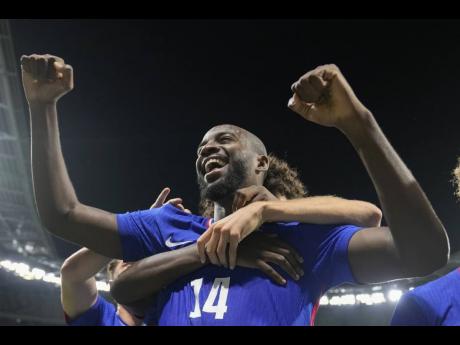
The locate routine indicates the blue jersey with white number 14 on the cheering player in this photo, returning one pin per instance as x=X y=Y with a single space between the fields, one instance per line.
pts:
x=215 y=295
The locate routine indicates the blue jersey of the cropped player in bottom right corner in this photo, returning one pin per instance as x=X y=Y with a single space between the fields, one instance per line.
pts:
x=436 y=303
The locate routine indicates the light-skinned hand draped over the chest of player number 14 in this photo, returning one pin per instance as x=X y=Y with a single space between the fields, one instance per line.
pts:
x=229 y=232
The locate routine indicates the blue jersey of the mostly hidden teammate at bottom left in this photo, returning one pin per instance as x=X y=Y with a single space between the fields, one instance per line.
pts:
x=101 y=313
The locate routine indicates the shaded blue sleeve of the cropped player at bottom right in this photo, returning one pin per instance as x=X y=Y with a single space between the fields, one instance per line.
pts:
x=410 y=312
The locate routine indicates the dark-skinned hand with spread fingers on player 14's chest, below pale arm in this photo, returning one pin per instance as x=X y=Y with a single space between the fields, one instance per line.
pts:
x=259 y=250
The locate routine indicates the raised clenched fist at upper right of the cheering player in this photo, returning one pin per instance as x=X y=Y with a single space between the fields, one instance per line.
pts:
x=324 y=96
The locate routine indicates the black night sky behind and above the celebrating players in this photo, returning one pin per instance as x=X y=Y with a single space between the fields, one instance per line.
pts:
x=146 y=91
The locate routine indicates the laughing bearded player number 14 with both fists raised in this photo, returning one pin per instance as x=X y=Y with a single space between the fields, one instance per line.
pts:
x=231 y=158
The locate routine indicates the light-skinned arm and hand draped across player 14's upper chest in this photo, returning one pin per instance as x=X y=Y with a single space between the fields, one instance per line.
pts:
x=255 y=205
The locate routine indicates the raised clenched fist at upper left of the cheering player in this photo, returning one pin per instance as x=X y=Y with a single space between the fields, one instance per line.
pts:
x=45 y=78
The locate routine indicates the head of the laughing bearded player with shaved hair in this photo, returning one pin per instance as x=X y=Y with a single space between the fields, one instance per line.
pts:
x=229 y=158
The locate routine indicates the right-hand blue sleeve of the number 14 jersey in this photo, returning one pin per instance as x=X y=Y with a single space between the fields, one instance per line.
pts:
x=331 y=264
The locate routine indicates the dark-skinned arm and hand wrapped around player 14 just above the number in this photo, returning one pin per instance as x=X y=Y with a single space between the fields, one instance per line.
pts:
x=148 y=276
